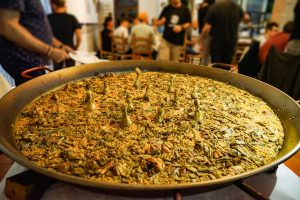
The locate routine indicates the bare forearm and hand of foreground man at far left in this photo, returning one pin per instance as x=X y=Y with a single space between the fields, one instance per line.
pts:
x=9 y=23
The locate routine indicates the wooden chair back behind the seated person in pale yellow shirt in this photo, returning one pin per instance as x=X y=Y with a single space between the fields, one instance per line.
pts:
x=141 y=47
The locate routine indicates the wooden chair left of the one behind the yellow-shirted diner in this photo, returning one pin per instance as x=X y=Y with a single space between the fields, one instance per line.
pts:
x=118 y=47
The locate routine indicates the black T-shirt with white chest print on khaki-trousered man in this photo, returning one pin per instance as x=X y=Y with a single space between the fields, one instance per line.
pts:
x=175 y=16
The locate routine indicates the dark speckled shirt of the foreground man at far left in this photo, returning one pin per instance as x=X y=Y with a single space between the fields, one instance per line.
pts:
x=13 y=58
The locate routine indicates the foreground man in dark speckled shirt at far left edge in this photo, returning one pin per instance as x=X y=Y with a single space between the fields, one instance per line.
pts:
x=25 y=38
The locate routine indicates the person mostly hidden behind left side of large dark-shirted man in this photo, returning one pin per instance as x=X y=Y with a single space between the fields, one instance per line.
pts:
x=205 y=41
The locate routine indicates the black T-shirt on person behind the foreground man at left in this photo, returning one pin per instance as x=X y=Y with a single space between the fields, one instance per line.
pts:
x=64 y=26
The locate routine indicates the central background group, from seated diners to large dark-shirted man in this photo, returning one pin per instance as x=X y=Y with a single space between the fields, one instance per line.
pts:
x=217 y=24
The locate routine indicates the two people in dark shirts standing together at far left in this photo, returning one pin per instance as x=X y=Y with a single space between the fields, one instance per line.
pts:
x=28 y=40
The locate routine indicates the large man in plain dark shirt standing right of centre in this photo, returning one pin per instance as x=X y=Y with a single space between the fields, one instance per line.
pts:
x=222 y=22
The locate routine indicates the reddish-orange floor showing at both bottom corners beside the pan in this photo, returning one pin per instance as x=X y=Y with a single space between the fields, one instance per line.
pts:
x=293 y=163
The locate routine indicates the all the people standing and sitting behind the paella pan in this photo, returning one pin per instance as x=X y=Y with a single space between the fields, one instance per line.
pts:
x=38 y=38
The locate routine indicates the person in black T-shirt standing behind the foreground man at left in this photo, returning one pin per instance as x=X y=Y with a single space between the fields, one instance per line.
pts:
x=64 y=27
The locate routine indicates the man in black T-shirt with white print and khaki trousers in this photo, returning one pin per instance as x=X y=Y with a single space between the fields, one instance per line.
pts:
x=176 y=18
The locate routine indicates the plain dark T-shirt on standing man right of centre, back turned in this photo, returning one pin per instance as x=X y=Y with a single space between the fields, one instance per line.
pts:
x=224 y=17
